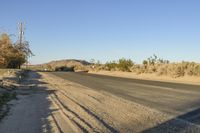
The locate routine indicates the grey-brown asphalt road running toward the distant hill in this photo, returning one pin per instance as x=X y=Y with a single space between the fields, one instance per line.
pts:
x=177 y=99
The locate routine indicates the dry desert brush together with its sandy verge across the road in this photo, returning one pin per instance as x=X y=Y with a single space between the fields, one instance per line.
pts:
x=153 y=68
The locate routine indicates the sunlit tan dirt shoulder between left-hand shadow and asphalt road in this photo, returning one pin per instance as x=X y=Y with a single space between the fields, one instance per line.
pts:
x=97 y=111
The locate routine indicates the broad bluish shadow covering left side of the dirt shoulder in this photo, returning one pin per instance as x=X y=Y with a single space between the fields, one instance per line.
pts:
x=31 y=112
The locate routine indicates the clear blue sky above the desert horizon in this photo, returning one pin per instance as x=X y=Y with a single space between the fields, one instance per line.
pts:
x=106 y=29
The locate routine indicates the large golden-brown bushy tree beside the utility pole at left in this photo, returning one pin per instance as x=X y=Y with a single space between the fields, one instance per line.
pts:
x=13 y=55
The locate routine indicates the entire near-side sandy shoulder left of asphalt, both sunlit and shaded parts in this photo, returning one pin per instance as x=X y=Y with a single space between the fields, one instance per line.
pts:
x=50 y=104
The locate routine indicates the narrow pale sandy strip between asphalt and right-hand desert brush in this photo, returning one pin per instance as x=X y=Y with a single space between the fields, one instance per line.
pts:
x=185 y=79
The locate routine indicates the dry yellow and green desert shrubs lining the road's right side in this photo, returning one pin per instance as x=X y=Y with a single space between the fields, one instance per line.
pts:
x=152 y=65
